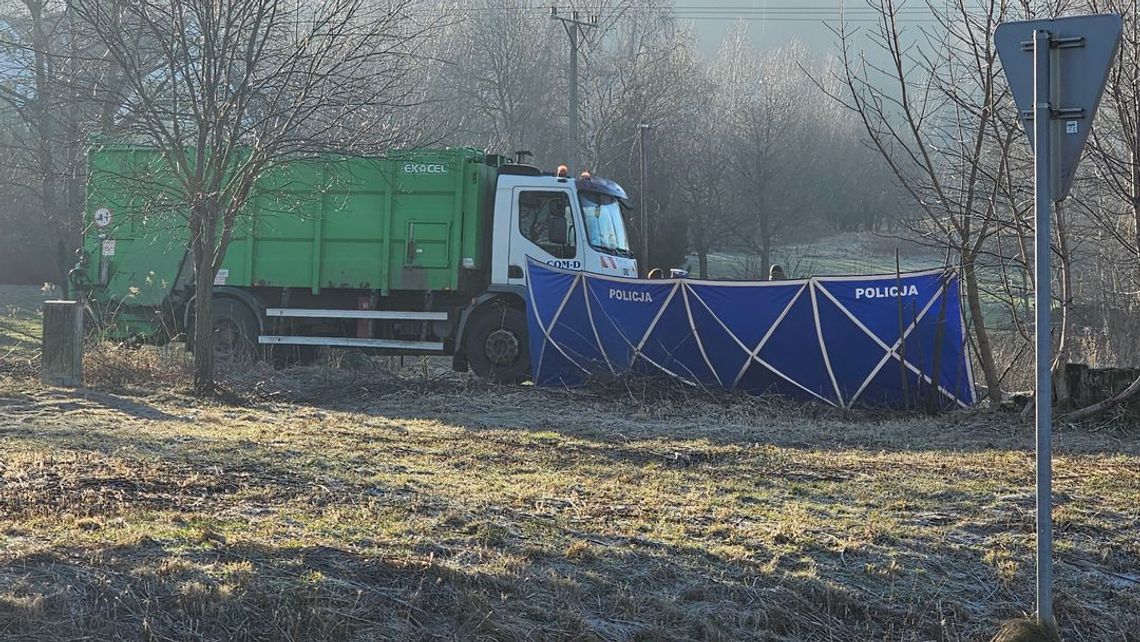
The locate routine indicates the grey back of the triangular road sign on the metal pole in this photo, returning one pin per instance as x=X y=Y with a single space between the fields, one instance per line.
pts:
x=1084 y=51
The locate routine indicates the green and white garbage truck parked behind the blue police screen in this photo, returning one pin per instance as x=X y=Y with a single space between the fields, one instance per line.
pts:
x=417 y=253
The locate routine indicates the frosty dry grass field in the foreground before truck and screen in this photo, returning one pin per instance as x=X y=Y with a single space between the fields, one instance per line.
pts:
x=379 y=503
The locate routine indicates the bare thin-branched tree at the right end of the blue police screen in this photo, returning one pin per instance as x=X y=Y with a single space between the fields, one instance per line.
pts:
x=931 y=115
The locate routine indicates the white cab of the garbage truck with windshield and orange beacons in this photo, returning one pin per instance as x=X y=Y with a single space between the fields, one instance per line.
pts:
x=567 y=223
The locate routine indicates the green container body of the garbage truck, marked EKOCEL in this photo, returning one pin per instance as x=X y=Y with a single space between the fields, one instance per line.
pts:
x=414 y=222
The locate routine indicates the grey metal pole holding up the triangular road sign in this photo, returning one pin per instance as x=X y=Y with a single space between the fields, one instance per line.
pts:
x=1043 y=124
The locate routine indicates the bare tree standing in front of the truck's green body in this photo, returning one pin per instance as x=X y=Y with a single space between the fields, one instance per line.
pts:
x=229 y=90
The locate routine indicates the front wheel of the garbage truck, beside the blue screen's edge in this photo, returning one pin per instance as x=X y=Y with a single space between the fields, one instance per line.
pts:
x=498 y=347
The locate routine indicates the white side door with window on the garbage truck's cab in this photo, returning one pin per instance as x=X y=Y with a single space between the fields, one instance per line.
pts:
x=543 y=226
